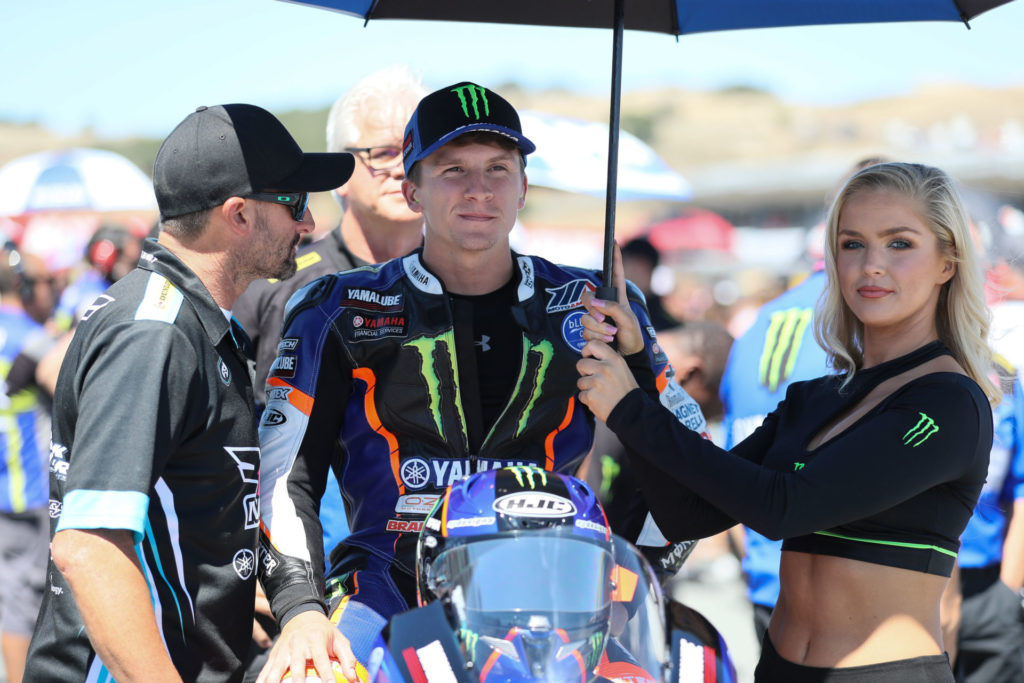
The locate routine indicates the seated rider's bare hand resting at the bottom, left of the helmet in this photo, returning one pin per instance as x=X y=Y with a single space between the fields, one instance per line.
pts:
x=310 y=637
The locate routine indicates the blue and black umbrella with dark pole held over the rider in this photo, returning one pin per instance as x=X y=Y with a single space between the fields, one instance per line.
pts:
x=670 y=17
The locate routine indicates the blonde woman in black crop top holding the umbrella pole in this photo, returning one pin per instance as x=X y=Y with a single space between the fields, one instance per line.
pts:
x=870 y=476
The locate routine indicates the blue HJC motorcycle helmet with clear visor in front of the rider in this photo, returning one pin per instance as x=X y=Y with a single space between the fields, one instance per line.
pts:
x=523 y=563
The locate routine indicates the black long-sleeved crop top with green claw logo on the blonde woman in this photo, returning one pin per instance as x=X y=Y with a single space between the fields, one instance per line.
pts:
x=897 y=488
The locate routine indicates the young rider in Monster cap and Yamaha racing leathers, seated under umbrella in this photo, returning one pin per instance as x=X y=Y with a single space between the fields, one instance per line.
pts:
x=407 y=376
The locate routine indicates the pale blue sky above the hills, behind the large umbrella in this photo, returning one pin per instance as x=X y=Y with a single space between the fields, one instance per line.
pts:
x=139 y=67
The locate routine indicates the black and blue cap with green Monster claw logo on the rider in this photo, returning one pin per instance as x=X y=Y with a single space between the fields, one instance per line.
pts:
x=457 y=110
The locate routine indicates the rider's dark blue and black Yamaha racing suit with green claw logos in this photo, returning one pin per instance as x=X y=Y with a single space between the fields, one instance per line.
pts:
x=376 y=377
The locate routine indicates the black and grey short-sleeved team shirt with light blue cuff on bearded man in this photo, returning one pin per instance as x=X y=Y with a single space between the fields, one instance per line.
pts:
x=154 y=434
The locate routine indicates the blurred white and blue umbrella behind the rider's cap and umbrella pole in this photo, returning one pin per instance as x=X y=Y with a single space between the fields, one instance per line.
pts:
x=570 y=157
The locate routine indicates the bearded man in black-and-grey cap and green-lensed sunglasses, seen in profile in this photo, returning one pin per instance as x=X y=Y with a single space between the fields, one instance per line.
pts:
x=155 y=458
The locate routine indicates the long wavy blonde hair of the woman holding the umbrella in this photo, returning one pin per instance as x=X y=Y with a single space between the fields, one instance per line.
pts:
x=962 y=317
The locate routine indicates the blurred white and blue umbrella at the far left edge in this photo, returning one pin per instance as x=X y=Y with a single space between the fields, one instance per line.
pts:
x=79 y=179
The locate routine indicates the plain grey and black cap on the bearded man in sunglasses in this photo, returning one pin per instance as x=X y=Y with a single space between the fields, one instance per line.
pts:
x=235 y=151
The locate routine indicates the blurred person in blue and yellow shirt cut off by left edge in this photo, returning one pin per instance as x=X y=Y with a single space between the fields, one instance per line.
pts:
x=24 y=478
